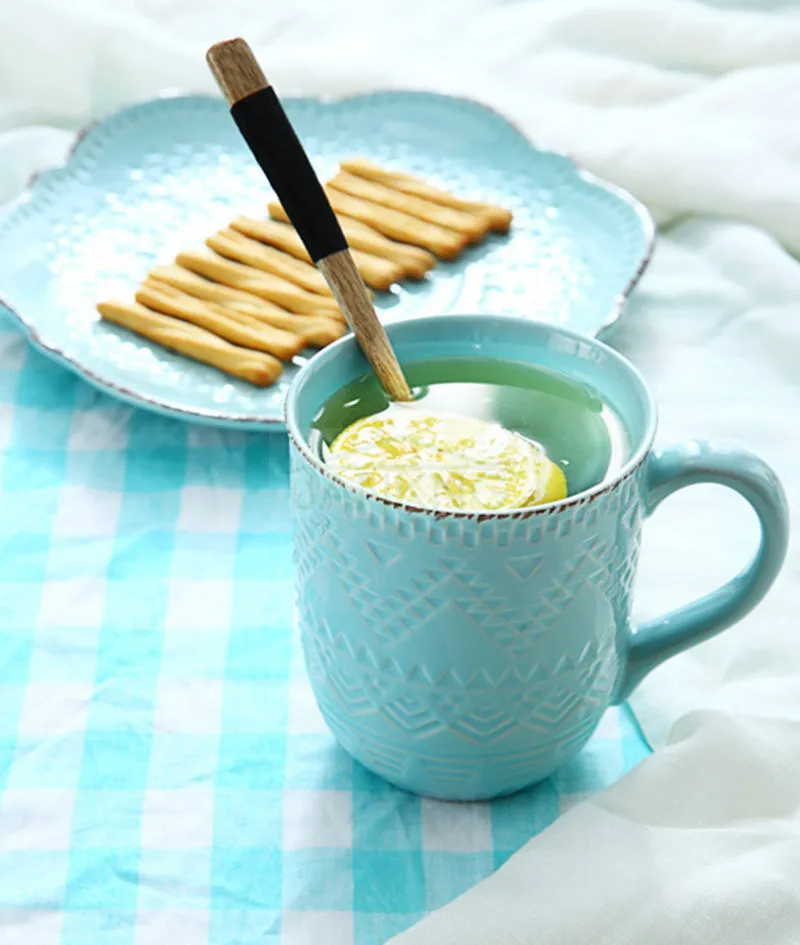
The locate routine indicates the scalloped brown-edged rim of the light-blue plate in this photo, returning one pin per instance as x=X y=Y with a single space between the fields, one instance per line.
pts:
x=243 y=421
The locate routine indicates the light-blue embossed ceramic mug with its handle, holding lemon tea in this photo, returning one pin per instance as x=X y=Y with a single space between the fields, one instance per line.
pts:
x=468 y=655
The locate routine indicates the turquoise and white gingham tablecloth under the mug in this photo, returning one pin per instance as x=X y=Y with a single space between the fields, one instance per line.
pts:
x=165 y=776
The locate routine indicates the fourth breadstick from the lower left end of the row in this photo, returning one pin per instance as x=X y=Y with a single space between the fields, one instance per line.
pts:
x=263 y=284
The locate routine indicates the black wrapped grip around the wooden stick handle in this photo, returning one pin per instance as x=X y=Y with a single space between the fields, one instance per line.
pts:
x=272 y=139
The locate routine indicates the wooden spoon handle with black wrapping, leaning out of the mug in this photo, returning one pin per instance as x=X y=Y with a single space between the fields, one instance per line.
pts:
x=267 y=130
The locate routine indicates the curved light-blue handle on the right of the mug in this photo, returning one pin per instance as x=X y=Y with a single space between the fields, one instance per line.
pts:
x=686 y=465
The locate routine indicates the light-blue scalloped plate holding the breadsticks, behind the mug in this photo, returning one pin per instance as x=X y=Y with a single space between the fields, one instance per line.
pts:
x=159 y=177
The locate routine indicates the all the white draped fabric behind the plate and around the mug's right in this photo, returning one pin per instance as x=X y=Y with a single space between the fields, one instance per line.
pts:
x=694 y=108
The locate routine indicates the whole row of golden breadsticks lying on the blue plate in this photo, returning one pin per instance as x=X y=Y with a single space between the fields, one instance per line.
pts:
x=253 y=298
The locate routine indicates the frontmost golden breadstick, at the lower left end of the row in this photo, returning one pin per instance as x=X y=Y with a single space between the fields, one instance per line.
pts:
x=253 y=366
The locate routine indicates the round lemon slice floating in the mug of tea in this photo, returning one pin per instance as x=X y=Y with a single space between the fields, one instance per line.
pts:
x=445 y=462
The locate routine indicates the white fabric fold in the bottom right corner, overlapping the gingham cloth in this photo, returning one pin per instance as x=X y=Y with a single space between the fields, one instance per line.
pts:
x=669 y=855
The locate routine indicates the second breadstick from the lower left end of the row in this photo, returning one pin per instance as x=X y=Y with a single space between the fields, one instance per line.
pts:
x=283 y=344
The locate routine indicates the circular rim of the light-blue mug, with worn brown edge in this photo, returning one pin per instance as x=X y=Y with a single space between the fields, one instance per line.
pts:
x=548 y=508
